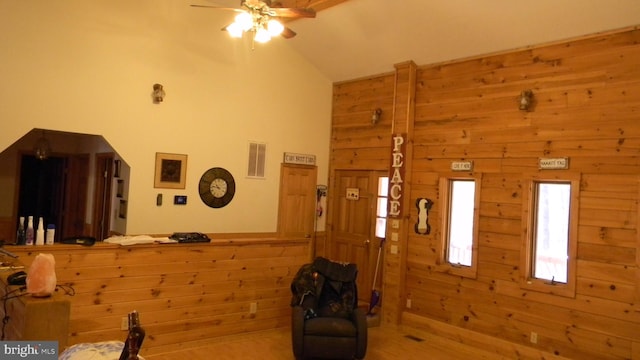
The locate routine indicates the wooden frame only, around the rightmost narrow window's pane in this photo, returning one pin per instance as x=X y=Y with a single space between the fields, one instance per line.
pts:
x=527 y=253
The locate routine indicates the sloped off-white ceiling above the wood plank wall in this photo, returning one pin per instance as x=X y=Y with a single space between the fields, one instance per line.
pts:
x=357 y=38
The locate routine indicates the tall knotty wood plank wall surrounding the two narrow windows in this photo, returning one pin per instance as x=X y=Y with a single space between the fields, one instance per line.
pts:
x=587 y=108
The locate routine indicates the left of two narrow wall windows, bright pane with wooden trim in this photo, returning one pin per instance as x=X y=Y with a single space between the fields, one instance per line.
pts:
x=460 y=198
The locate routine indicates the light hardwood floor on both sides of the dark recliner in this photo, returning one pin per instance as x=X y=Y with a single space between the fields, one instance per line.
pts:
x=384 y=343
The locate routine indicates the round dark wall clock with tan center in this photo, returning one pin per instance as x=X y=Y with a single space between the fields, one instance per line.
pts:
x=217 y=187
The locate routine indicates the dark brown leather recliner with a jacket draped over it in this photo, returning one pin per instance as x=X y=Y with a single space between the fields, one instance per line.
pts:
x=326 y=322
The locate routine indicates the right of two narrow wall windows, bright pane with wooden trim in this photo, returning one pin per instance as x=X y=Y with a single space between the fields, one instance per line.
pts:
x=551 y=235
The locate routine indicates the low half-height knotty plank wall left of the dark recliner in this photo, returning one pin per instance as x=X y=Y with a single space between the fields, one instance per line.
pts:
x=185 y=294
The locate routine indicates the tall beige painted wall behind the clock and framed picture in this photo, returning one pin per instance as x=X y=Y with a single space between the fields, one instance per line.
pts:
x=89 y=67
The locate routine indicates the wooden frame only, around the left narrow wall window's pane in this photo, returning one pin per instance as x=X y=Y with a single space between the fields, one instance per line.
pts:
x=445 y=185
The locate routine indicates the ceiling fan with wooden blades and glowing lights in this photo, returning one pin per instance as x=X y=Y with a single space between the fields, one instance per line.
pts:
x=260 y=18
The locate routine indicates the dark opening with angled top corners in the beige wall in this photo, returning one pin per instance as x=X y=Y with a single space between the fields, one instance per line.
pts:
x=62 y=187
